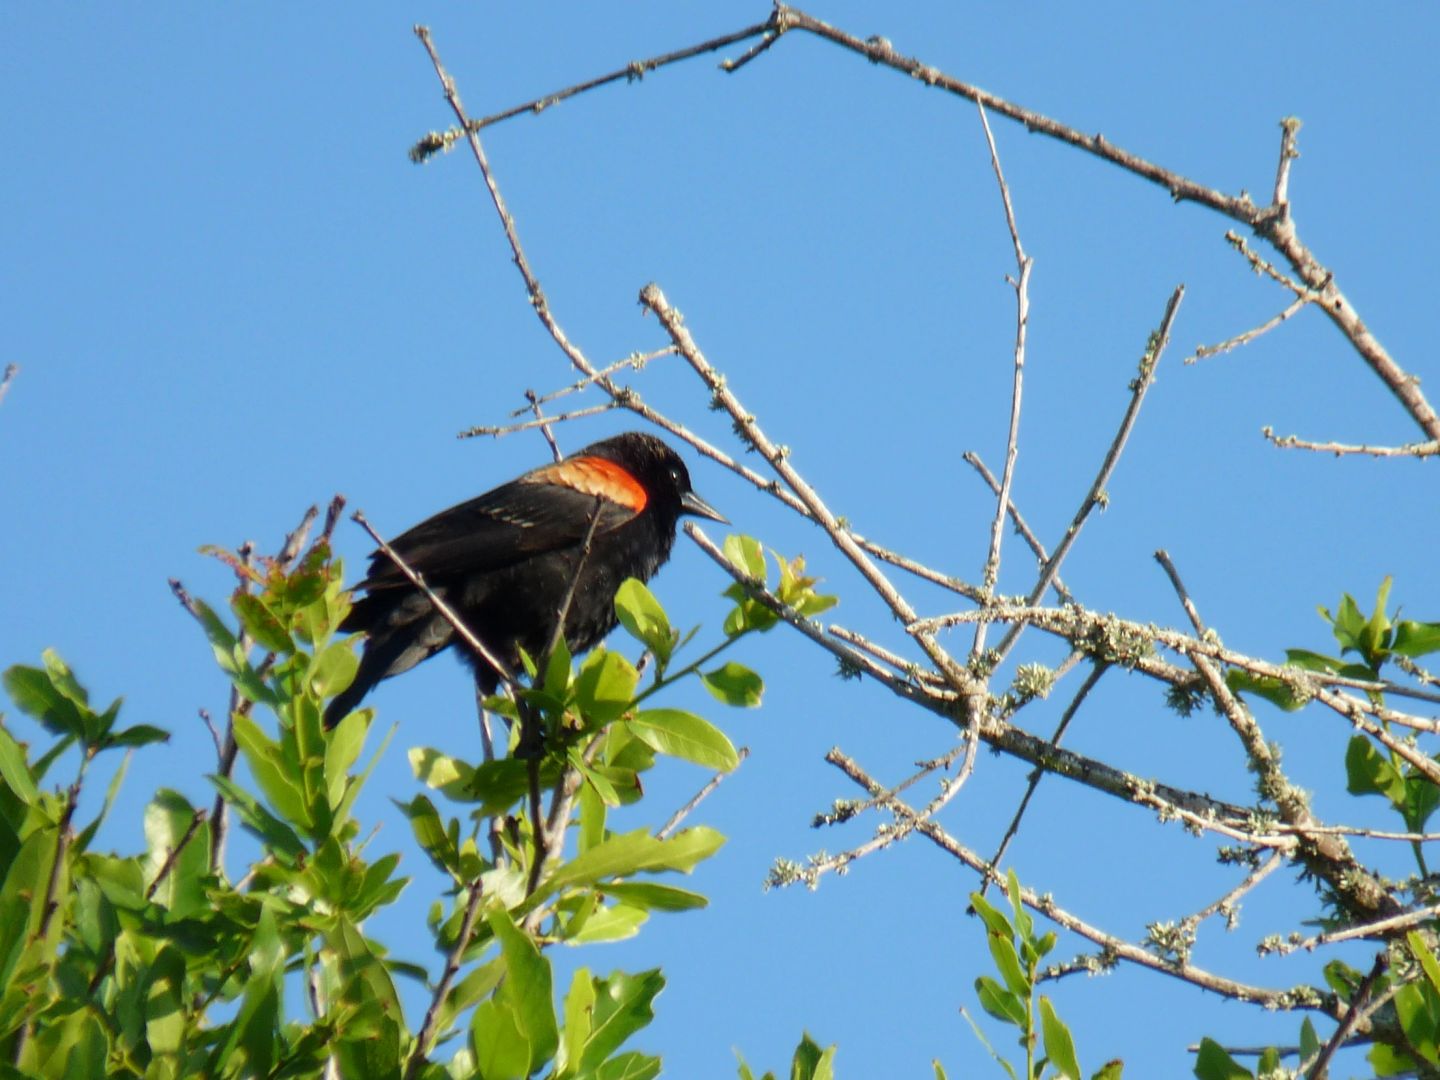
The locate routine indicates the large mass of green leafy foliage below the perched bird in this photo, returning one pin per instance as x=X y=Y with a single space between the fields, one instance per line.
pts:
x=158 y=964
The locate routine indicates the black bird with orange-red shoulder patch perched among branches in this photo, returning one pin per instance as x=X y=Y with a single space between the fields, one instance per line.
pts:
x=505 y=562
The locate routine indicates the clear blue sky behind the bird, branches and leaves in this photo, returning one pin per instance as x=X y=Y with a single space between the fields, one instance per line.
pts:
x=231 y=296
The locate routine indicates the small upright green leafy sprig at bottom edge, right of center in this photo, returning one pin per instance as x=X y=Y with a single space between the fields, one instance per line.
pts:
x=1014 y=1000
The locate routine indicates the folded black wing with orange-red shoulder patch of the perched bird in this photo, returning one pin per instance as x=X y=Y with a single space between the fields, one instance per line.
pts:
x=546 y=510
